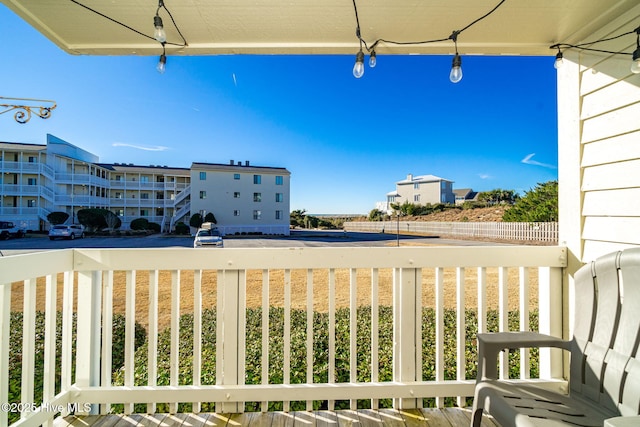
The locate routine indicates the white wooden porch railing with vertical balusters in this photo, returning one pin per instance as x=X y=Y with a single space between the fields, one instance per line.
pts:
x=155 y=287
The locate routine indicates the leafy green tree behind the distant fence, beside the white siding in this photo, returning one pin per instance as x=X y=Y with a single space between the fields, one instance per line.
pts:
x=537 y=205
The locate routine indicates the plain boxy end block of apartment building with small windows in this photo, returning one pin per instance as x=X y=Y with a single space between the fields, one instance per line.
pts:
x=243 y=198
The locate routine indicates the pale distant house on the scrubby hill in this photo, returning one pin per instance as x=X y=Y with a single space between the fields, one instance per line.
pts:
x=420 y=190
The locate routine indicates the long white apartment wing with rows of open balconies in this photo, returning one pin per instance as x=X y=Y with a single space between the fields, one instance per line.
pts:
x=36 y=180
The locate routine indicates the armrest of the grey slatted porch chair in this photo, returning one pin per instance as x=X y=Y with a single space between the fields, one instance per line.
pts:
x=490 y=345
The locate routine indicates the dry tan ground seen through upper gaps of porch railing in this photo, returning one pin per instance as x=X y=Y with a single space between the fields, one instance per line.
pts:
x=276 y=283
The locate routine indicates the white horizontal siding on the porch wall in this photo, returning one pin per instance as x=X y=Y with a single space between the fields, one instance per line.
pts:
x=599 y=149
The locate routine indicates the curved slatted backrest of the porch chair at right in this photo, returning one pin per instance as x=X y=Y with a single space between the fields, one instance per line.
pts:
x=605 y=364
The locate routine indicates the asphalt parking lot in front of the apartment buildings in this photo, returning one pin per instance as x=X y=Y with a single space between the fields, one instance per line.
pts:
x=298 y=238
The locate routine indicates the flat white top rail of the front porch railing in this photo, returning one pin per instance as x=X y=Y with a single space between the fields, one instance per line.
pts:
x=301 y=258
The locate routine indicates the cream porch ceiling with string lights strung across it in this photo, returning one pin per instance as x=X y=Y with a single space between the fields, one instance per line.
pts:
x=213 y=27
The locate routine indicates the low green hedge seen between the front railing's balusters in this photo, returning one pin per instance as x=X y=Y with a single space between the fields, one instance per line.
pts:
x=298 y=336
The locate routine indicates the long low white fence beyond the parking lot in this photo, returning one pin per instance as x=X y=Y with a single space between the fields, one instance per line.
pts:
x=519 y=231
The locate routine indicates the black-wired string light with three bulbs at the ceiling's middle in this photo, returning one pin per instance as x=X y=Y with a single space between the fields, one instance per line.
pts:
x=456 y=68
